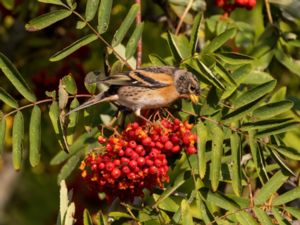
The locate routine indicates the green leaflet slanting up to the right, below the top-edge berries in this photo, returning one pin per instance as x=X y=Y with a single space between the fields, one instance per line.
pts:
x=220 y=40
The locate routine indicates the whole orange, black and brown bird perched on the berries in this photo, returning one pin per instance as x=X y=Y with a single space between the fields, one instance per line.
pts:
x=147 y=88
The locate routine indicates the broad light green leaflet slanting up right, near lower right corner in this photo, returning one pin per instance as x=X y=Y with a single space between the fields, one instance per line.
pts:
x=270 y=188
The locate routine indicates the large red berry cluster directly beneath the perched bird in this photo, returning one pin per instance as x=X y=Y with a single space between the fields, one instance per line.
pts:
x=137 y=158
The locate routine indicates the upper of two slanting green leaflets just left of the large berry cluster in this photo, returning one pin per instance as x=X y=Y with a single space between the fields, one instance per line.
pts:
x=80 y=143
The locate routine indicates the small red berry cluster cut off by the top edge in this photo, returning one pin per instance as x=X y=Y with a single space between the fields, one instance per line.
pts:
x=230 y=5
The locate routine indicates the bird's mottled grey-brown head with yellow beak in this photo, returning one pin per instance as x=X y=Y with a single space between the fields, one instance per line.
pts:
x=187 y=84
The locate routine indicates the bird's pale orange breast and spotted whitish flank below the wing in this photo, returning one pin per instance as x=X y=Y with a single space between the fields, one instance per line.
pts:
x=146 y=98
